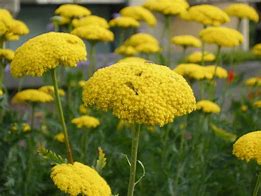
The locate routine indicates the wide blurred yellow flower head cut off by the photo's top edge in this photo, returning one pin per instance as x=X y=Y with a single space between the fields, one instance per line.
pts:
x=167 y=7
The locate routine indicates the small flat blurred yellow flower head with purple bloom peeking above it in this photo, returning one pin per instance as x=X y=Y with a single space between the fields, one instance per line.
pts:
x=124 y=22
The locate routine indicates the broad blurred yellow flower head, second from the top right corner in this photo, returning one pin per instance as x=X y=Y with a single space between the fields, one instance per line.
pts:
x=206 y=15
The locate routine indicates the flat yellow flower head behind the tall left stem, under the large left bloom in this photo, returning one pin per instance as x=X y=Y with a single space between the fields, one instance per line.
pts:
x=31 y=95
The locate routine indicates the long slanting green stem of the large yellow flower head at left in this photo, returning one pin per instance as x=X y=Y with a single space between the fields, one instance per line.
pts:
x=60 y=110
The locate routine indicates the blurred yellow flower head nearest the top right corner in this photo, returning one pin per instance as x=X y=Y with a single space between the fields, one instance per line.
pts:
x=242 y=10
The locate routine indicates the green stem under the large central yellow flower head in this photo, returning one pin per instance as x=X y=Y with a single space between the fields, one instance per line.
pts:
x=134 y=152
